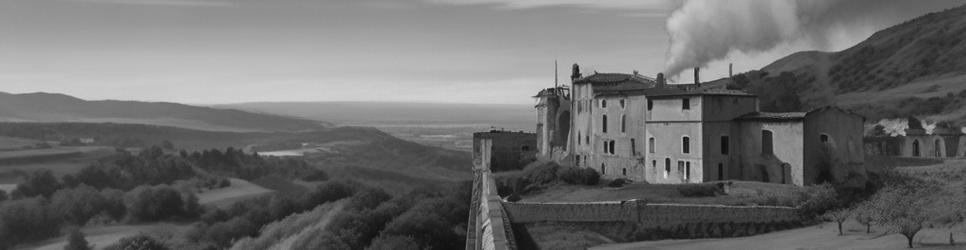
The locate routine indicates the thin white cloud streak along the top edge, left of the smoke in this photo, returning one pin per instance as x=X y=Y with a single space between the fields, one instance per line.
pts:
x=599 y=4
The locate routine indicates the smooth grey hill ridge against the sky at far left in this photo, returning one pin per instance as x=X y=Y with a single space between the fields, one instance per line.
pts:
x=45 y=107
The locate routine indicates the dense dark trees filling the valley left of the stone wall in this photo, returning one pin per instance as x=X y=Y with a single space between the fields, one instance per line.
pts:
x=159 y=184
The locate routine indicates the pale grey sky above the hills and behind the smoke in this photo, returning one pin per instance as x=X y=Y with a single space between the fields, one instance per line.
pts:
x=230 y=51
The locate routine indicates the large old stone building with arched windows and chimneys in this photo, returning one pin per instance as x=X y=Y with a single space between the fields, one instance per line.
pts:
x=643 y=129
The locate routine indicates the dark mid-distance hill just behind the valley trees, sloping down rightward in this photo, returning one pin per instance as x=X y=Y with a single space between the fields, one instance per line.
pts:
x=352 y=151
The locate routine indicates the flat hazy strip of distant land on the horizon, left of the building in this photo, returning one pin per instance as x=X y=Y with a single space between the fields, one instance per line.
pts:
x=509 y=115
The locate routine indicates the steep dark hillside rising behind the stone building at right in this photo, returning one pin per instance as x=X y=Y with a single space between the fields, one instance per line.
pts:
x=914 y=68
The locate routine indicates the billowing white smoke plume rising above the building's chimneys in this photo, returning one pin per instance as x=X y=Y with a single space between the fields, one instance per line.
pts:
x=703 y=31
